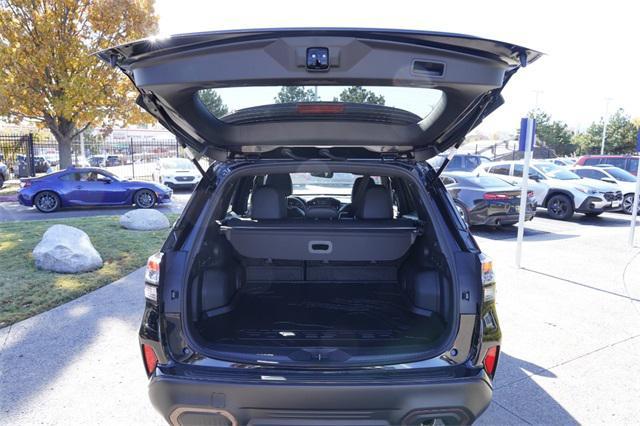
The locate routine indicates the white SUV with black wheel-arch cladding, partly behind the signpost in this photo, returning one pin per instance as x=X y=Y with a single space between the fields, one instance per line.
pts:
x=559 y=190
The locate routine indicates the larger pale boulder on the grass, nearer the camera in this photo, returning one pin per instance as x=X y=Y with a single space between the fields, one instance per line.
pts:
x=66 y=249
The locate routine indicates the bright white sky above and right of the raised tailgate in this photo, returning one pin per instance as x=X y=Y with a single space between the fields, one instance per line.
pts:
x=592 y=48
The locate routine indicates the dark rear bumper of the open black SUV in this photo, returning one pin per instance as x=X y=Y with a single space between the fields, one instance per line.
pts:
x=184 y=401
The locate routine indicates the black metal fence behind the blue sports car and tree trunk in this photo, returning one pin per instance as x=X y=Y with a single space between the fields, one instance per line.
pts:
x=30 y=155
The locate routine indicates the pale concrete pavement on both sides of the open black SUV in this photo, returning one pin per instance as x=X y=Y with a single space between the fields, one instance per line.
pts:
x=570 y=353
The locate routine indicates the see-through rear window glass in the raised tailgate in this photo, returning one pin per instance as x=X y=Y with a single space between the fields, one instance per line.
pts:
x=223 y=102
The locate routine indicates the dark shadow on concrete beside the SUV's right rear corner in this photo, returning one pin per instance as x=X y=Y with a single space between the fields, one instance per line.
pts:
x=518 y=399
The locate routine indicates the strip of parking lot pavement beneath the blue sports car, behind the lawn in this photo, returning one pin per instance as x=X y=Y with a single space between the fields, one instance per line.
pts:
x=12 y=211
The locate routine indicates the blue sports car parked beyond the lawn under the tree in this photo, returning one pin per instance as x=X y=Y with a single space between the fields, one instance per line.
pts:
x=76 y=187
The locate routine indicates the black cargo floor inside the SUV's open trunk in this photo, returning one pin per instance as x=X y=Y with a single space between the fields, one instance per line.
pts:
x=361 y=315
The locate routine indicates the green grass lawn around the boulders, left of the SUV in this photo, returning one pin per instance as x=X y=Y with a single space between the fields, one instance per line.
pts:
x=26 y=291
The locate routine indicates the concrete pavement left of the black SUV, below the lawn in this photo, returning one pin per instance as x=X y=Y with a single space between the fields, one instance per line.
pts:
x=78 y=363
